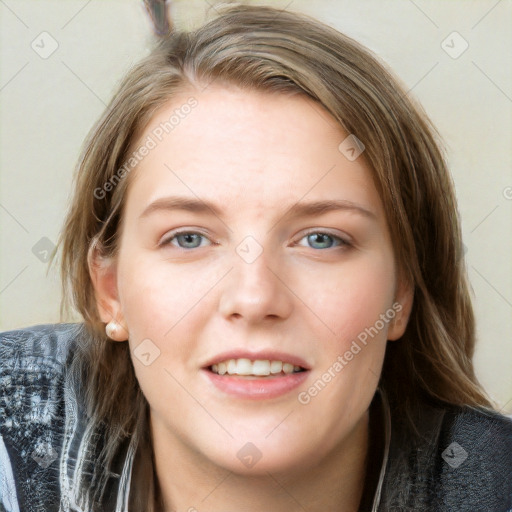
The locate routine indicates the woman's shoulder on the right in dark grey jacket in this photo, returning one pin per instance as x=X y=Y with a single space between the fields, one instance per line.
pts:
x=461 y=460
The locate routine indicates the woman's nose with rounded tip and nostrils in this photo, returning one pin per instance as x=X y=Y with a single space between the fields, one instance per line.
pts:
x=255 y=292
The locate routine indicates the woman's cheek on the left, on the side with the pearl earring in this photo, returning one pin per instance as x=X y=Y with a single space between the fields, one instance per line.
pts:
x=169 y=305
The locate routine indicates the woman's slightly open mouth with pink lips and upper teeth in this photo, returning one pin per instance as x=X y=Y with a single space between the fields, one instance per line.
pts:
x=256 y=377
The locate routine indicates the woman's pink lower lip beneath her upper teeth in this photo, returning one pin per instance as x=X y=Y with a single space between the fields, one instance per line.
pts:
x=257 y=389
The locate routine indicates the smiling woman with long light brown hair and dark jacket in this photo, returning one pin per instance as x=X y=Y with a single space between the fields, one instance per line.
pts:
x=265 y=248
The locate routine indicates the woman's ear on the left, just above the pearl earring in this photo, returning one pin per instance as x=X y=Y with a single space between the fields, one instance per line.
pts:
x=103 y=272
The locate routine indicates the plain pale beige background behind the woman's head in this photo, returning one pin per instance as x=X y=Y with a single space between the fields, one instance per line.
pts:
x=49 y=104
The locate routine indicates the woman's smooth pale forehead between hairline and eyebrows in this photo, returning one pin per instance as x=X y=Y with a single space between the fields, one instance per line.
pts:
x=255 y=148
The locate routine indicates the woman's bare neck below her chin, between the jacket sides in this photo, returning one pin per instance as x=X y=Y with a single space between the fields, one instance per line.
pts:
x=189 y=482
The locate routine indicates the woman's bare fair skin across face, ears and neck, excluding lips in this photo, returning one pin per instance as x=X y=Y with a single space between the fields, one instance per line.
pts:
x=254 y=155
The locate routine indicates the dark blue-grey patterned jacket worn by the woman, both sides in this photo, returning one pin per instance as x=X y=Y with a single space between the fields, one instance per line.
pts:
x=462 y=460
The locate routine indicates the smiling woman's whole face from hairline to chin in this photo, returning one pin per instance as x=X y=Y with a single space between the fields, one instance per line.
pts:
x=249 y=235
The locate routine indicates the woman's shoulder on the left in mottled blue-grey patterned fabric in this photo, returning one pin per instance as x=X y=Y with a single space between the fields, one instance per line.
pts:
x=33 y=364
